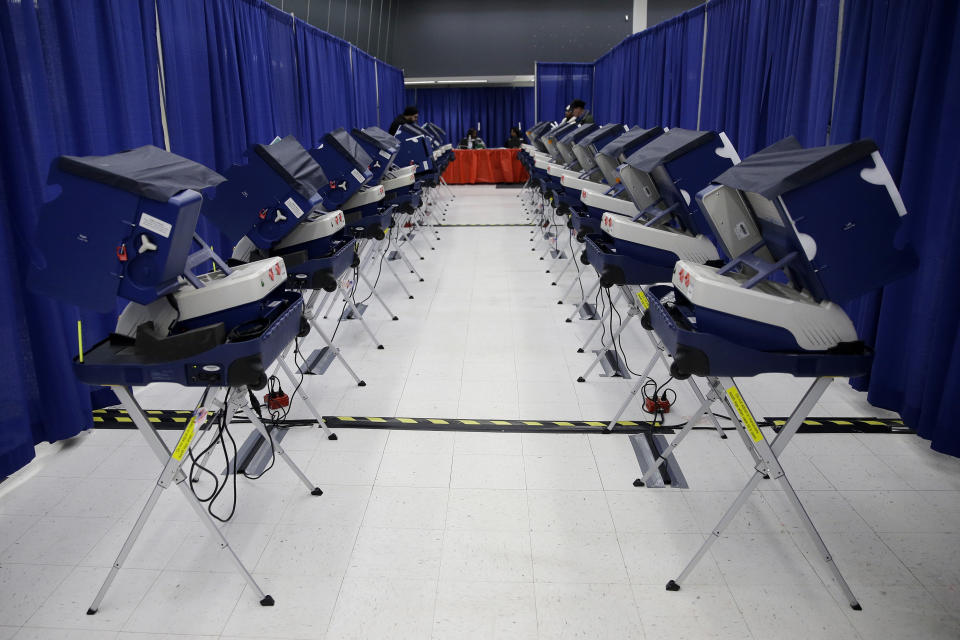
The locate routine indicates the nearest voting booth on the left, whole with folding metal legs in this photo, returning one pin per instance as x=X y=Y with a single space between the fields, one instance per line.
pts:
x=220 y=329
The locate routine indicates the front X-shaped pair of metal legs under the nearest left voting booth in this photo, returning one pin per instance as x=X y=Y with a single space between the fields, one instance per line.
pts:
x=172 y=462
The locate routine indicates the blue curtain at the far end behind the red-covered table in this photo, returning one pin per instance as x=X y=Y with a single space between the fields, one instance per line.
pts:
x=457 y=109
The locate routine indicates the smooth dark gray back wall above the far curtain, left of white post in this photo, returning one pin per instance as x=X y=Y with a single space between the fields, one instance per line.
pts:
x=503 y=37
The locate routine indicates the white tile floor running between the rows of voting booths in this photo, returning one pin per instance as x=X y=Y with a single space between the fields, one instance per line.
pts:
x=481 y=535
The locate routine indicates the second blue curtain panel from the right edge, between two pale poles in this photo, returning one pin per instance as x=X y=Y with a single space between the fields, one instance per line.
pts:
x=768 y=70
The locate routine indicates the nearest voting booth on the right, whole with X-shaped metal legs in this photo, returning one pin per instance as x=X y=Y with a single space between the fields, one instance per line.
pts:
x=825 y=220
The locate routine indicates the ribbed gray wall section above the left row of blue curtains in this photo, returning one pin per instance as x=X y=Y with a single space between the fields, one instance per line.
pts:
x=369 y=24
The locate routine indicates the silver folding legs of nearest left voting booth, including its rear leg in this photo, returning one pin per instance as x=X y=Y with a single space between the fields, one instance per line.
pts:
x=172 y=473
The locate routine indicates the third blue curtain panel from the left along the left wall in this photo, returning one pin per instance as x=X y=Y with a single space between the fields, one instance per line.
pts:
x=326 y=94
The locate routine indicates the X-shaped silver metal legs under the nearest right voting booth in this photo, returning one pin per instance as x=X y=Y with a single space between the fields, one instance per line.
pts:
x=768 y=465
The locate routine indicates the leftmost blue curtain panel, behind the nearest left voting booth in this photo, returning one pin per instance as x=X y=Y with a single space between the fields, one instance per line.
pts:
x=80 y=77
